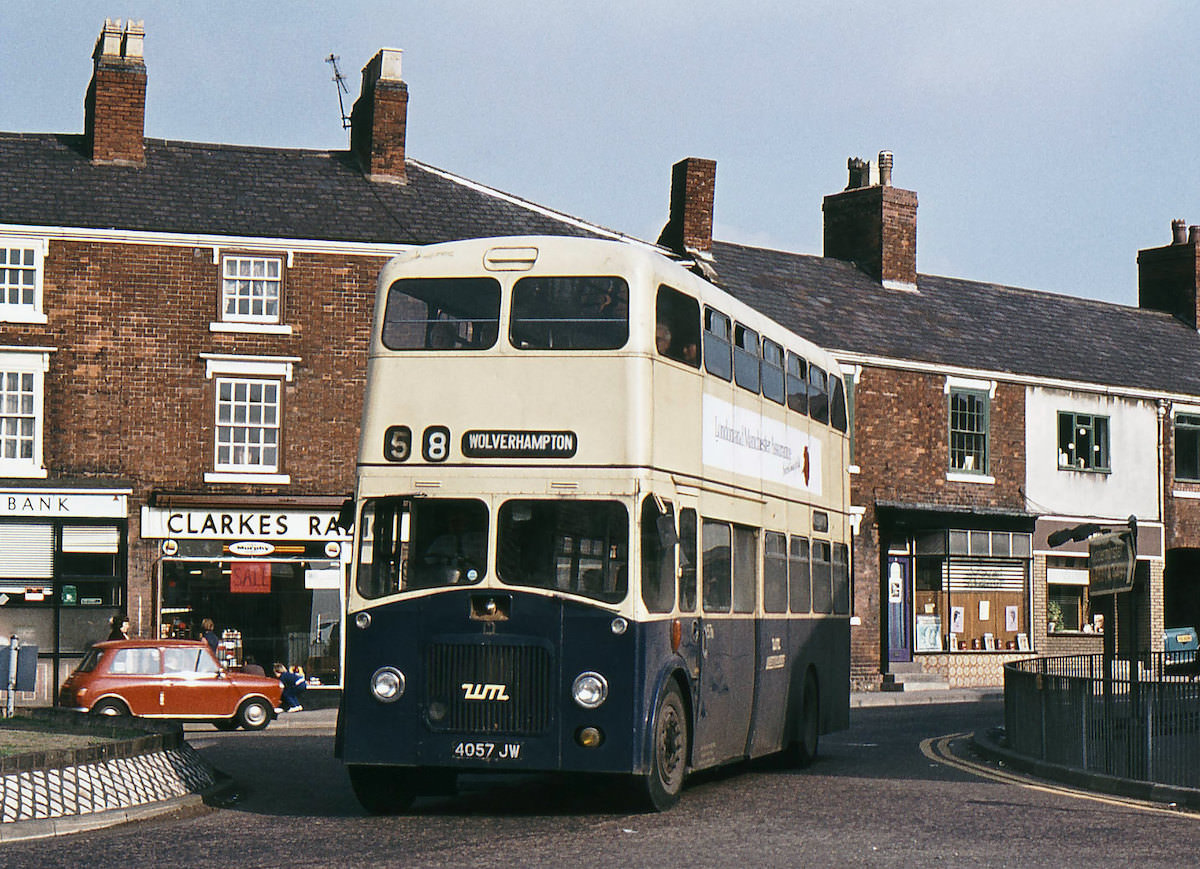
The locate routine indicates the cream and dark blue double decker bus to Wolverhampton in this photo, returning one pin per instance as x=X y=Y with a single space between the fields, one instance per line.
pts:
x=602 y=525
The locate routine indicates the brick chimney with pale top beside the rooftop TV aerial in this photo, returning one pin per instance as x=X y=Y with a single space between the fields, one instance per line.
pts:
x=380 y=118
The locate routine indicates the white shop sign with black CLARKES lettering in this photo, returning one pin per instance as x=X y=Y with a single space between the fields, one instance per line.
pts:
x=241 y=525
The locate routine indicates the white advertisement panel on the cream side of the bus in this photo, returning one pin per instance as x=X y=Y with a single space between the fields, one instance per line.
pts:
x=748 y=444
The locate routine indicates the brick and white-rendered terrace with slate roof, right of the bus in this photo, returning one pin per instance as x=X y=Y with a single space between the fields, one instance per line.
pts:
x=986 y=418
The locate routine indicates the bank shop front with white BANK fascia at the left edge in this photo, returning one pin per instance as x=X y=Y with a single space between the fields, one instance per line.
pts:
x=63 y=573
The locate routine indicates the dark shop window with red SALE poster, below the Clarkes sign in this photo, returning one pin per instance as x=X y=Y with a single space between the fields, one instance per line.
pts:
x=268 y=612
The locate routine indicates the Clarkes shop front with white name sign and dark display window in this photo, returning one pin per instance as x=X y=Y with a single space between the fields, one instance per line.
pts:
x=268 y=576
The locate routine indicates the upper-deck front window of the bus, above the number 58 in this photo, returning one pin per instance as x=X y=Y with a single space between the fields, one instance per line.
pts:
x=442 y=314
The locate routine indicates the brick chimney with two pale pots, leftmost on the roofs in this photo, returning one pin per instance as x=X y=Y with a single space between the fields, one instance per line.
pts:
x=115 y=110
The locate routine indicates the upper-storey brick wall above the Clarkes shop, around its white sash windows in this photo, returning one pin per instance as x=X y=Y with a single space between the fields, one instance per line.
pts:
x=127 y=397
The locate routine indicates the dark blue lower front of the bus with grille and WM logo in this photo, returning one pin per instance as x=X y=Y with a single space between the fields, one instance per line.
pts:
x=488 y=685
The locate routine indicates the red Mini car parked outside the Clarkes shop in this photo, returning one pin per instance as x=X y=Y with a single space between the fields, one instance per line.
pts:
x=170 y=679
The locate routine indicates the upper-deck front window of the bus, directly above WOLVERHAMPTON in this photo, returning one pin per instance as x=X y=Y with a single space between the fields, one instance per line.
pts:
x=571 y=314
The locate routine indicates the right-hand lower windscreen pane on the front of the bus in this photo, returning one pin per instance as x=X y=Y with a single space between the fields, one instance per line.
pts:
x=578 y=547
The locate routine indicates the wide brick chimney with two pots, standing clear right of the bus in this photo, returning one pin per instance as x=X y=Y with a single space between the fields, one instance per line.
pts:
x=874 y=225
